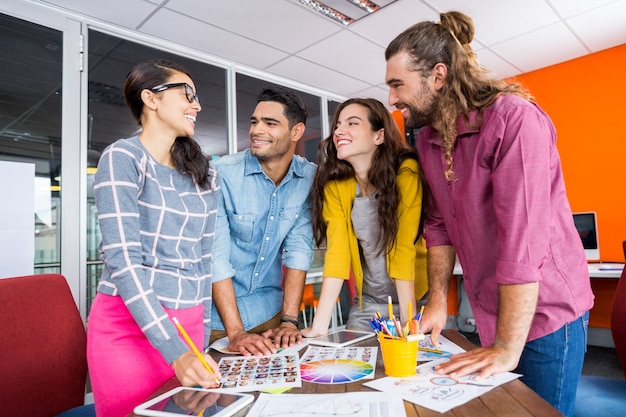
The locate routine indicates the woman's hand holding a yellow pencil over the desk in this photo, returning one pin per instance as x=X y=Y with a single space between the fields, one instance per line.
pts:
x=186 y=368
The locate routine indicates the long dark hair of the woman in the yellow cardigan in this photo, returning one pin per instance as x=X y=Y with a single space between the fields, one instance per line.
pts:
x=383 y=173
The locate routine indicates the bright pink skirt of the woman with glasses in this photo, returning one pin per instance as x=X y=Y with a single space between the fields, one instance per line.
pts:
x=124 y=368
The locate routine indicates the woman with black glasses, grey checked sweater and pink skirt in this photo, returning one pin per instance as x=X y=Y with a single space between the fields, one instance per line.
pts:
x=157 y=203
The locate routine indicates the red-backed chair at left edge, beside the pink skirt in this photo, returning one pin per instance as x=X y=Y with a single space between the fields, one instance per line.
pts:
x=43 y=358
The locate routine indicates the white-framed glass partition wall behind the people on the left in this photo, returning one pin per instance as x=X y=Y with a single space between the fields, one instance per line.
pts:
x=31 y=111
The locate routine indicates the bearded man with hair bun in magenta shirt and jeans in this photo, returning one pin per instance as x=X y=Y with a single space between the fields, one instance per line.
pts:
x=498 y=202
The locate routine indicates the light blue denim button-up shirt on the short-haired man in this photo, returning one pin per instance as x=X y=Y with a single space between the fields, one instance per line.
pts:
x=260 y=227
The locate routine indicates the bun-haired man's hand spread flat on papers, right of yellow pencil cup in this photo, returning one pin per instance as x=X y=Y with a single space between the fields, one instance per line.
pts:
x=484 y=361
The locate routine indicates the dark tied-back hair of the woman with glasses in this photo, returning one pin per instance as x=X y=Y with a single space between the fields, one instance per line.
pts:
x=186 y=152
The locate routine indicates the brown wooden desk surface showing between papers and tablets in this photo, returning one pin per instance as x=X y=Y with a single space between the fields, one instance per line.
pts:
x=511 y=399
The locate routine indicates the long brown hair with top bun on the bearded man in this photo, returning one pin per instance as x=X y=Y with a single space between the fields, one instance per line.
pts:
x=469 y=86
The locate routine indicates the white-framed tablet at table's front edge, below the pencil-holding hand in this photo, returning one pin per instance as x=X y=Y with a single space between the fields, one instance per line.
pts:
x=185 y=401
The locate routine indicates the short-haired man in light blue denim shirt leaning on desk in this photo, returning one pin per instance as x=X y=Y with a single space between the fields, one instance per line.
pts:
x=264 y=222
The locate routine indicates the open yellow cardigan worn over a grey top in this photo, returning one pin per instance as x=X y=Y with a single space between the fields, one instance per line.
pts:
x=405 y=261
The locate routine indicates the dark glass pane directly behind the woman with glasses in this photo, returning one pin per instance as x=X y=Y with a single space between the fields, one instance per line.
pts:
x=110 y=60
